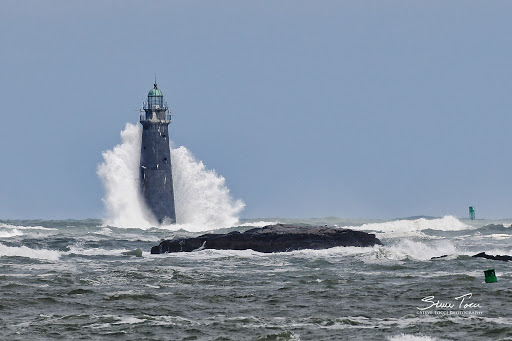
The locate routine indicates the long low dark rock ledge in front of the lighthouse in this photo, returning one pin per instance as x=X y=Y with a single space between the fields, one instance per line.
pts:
x=273 y=238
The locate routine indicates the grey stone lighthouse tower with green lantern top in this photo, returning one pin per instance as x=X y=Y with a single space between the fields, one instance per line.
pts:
x=155 y=173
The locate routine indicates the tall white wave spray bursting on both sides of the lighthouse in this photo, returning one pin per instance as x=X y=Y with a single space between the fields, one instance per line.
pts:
x=202 y=199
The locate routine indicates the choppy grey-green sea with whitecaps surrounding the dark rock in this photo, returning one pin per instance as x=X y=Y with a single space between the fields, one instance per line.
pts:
x=80 y=279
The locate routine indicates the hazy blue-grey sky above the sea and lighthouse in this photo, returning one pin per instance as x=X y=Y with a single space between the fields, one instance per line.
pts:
x=308 y=108
